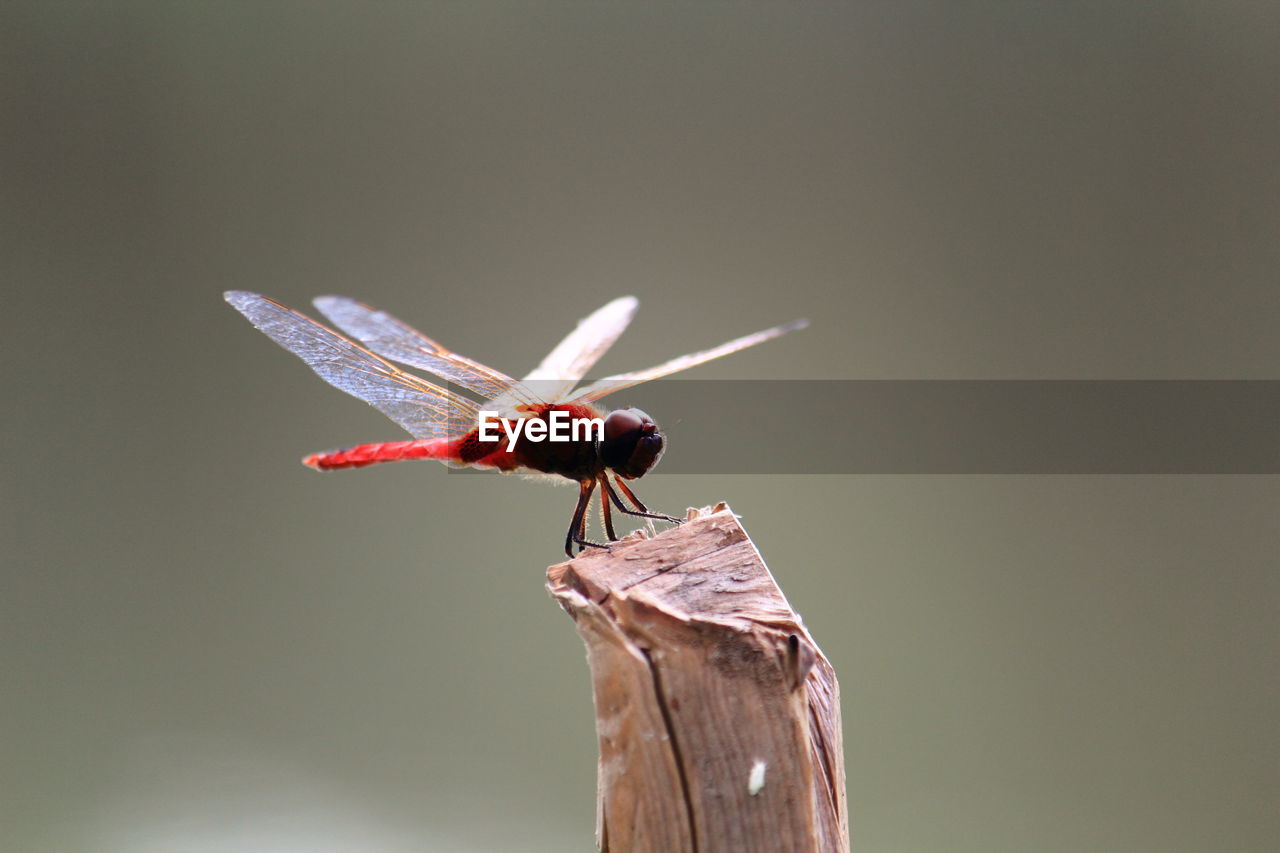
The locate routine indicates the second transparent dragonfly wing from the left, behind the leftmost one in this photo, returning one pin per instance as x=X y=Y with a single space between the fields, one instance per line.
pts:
x=401 y=343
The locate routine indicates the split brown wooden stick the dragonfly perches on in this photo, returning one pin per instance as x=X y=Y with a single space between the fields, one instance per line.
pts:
x=719 y=719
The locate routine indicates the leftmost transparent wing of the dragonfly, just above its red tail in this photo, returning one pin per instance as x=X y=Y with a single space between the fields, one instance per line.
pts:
x=426 y=410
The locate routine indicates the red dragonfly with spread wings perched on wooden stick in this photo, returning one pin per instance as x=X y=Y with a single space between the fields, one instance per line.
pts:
x=447 y=426
